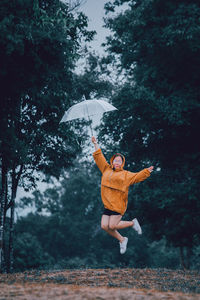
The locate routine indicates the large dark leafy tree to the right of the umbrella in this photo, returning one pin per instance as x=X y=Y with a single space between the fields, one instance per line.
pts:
x=156 y=45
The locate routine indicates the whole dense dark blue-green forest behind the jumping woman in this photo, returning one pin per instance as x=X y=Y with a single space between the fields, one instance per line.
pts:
x=150 y=72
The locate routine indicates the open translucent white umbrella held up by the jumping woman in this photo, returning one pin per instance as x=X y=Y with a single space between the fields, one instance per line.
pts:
x=86 y=109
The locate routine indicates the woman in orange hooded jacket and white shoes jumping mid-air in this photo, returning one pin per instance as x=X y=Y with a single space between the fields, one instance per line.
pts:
x=115 y=183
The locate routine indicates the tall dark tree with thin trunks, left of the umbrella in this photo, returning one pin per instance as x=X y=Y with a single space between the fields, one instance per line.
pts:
x=39 y=44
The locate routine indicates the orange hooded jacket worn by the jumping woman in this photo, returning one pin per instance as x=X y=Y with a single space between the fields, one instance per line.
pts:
x=115 y=183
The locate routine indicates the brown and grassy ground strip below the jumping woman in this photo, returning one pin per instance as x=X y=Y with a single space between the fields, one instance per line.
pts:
x=90 y=284
